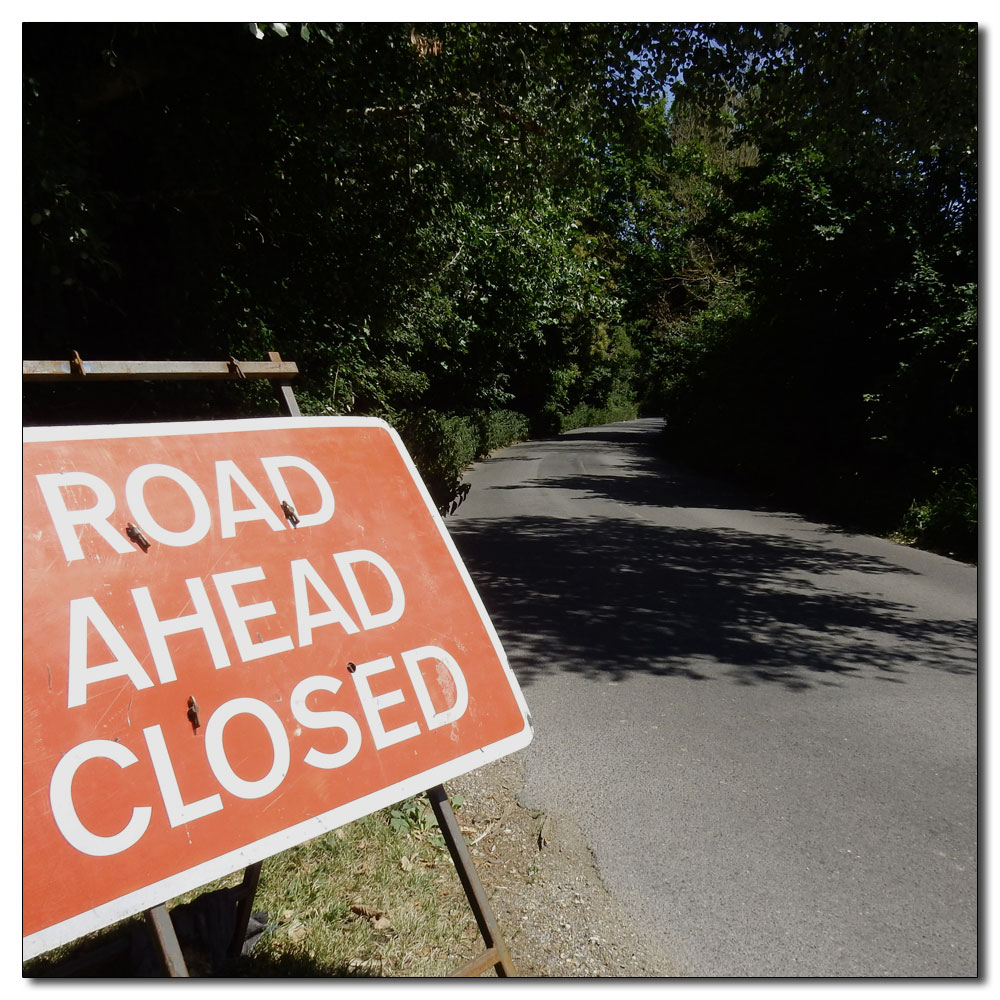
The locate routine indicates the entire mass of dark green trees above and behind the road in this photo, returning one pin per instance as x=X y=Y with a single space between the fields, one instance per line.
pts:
x=767 y=233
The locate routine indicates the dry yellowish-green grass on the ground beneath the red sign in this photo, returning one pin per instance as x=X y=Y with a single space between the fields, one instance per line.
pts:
x=378 y=897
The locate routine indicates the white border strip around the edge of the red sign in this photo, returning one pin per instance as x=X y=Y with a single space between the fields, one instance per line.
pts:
x=191 y=878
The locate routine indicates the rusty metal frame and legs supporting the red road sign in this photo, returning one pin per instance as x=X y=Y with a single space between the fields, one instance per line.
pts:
x=157 y=917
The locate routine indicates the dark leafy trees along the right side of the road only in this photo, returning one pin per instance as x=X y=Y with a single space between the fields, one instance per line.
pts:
x=815 y=328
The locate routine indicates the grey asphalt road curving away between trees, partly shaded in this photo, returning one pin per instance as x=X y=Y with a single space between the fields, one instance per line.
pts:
x=765 y=727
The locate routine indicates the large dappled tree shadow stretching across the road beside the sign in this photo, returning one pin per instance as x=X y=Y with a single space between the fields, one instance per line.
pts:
x=610 y=597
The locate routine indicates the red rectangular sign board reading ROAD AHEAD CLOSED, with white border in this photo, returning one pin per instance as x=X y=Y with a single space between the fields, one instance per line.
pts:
x=237 y=635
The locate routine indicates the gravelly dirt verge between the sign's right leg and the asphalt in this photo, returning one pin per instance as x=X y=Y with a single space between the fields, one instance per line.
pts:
x=555 y=913
